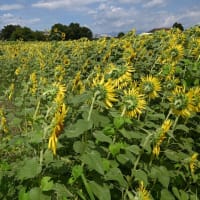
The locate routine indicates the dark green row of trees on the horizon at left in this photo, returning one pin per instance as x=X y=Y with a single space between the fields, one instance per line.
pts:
x=58 y=32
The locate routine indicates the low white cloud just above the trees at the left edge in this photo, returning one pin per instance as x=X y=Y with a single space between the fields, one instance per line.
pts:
x=9 y=18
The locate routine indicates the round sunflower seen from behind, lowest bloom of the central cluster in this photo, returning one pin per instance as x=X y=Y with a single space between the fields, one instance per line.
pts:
x=133 y=103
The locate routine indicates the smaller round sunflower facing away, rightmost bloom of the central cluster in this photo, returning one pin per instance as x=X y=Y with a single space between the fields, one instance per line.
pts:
x=150 y=86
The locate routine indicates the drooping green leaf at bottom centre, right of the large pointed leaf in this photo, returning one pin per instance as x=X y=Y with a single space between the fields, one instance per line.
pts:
x=115 y=174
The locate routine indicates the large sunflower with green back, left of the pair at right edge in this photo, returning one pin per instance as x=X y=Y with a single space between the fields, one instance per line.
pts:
x=182 y=103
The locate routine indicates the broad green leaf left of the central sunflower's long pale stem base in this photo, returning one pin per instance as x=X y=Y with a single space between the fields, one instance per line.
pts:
x=78 y=128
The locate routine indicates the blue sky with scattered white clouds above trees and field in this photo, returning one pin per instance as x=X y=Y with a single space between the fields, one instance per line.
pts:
x=101 y=16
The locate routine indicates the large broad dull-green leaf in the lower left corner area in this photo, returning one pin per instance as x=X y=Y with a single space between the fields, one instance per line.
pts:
x=30 y=169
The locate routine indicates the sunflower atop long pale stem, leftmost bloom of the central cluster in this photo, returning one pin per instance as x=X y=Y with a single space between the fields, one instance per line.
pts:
x=105 y=90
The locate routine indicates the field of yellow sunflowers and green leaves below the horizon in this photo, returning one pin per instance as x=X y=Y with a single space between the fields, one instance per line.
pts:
x=105 y=119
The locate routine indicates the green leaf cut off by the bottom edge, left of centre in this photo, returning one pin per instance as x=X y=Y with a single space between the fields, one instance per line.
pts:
x=101 y=192
